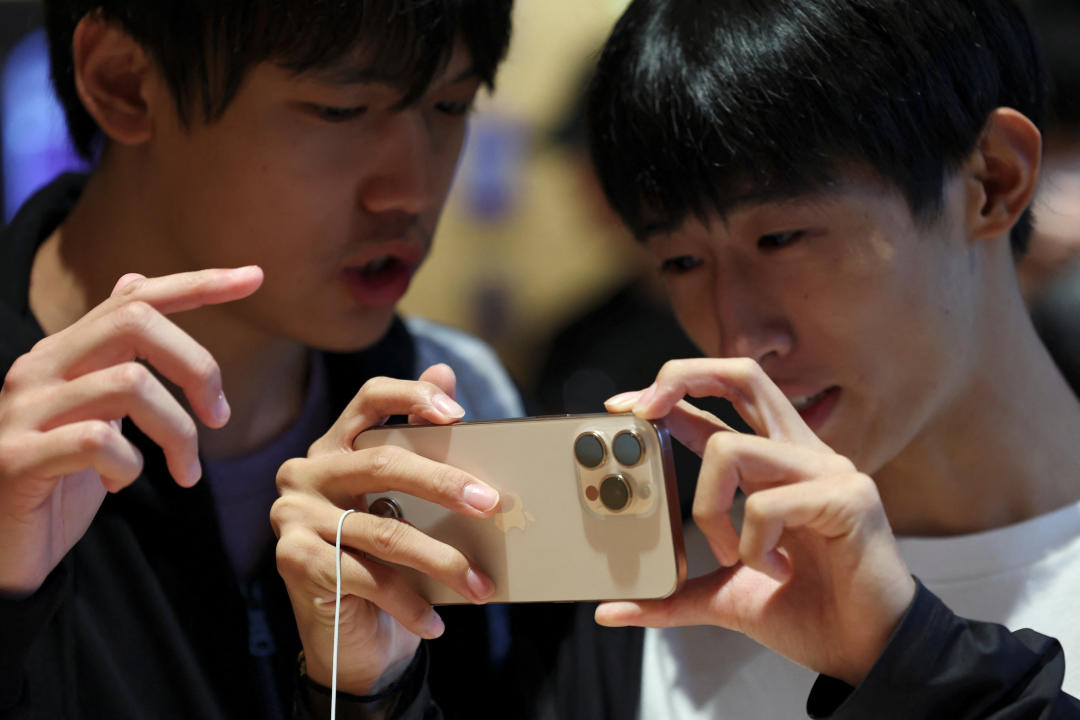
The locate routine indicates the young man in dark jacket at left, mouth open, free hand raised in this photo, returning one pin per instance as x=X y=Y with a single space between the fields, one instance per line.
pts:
x=309 y=147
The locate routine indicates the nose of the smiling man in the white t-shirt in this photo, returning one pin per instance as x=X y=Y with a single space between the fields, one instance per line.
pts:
x=750 y=323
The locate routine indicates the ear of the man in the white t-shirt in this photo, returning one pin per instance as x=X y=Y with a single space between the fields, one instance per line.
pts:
x=1004 y=171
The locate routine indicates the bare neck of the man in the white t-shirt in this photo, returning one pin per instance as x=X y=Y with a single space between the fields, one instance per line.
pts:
x=1003 y=452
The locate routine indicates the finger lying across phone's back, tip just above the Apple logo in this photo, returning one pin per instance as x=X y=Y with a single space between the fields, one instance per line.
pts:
x=345 y=478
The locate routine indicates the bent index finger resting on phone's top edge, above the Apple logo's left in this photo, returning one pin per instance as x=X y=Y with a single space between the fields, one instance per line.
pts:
x=382 y=398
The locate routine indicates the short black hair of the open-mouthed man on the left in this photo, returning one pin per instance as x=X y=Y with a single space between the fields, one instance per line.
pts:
x=206 y=48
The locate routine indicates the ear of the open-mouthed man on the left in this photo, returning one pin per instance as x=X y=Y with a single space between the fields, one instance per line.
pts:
x=112 y=72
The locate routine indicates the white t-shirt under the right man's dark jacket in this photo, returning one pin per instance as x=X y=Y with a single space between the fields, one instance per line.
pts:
x=1023 y=576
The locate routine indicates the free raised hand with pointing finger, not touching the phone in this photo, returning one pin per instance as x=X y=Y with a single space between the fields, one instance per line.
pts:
x=62 y=403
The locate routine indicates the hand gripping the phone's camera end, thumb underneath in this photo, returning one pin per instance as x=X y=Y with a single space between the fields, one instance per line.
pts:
x=816 y=574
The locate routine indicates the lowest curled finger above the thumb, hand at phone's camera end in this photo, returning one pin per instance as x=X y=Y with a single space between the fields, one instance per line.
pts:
x=835 y=509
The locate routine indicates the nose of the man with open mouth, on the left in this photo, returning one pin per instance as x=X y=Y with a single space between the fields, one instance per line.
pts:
x=400 y=166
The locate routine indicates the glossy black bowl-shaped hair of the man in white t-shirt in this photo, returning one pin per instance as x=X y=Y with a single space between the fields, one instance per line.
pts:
x=699 y=105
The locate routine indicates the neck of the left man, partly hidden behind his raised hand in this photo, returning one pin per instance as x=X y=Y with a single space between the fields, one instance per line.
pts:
x=113 y=232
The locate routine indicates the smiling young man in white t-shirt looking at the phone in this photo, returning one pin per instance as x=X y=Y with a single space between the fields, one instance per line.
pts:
x=836 y=193
